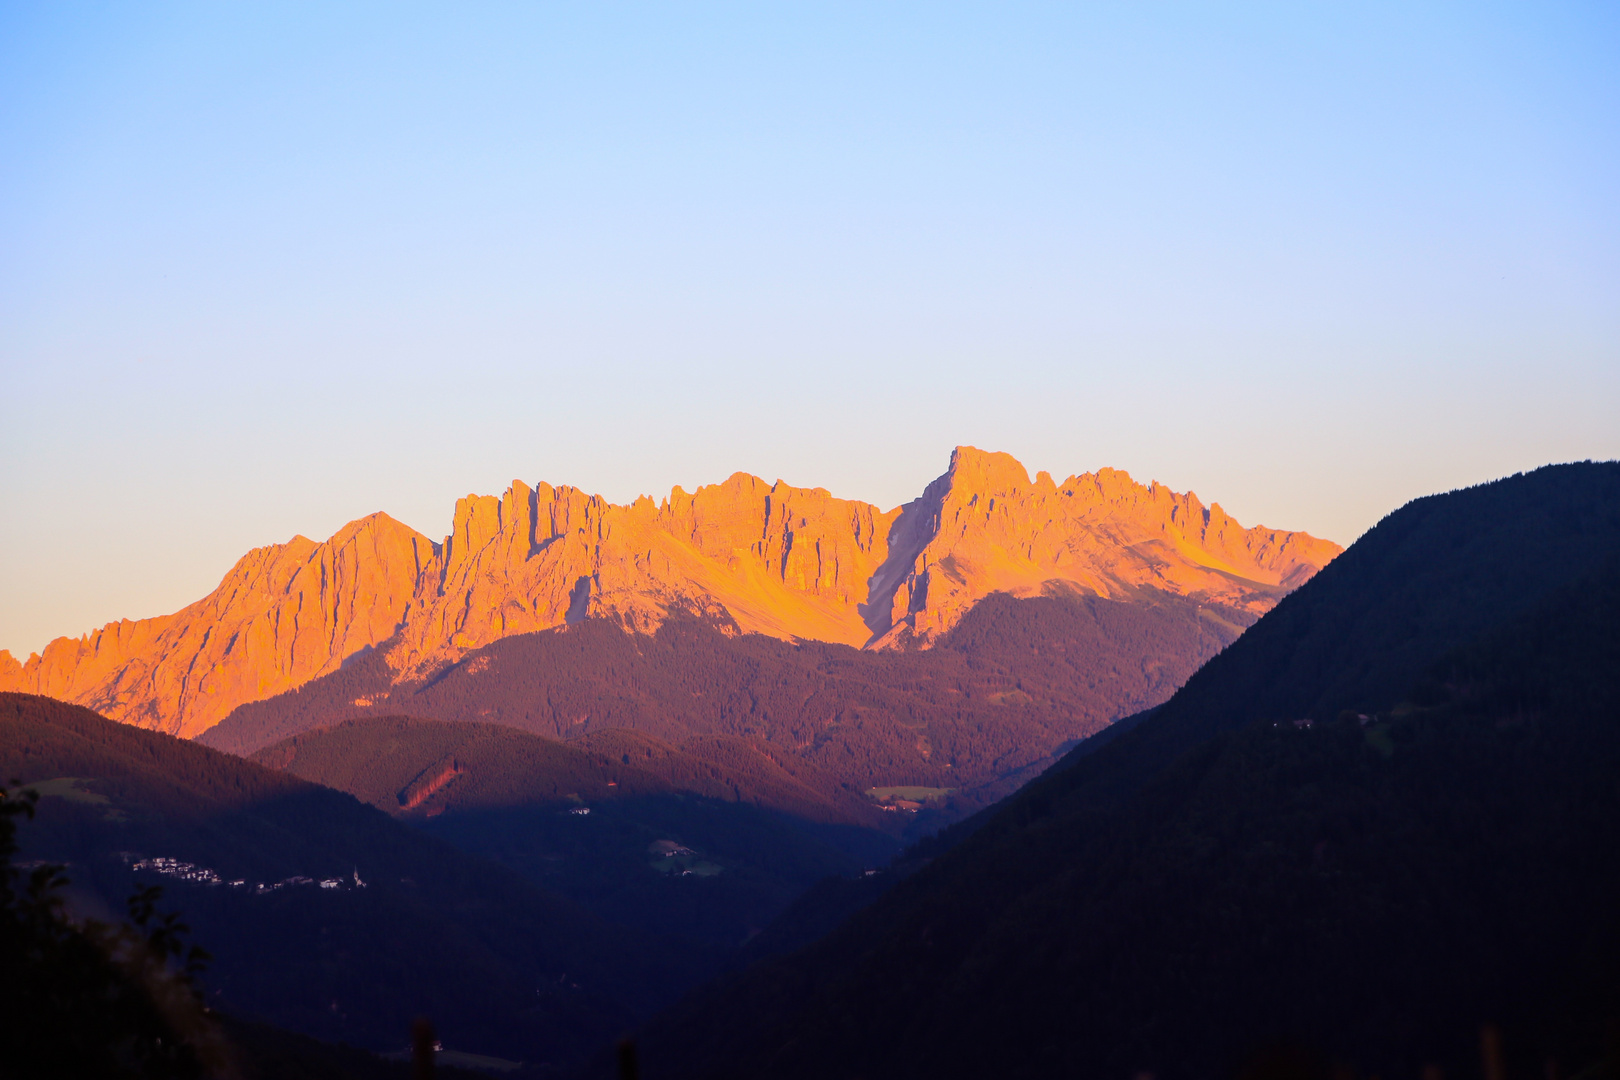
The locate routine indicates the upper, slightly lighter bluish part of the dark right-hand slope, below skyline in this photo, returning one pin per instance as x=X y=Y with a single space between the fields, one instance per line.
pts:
x=1428 y=579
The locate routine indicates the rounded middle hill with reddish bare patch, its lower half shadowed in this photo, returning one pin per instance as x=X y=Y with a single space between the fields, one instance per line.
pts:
x=675 y=857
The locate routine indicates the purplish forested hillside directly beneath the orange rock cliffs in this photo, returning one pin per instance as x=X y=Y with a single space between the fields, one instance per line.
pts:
x=1012 y=686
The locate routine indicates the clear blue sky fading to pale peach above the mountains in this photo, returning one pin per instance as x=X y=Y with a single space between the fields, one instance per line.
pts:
x=270 y=268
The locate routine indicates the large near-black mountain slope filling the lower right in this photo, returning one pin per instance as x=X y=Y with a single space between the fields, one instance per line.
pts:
x=1226 y=875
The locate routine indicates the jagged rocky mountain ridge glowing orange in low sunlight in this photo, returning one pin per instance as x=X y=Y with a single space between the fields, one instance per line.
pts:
x=772 y=559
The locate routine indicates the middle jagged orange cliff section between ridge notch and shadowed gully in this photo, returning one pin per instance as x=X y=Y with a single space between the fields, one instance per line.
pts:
x=765 y=558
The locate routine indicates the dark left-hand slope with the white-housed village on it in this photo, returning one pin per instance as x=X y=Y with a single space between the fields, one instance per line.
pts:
x=346 y=924
